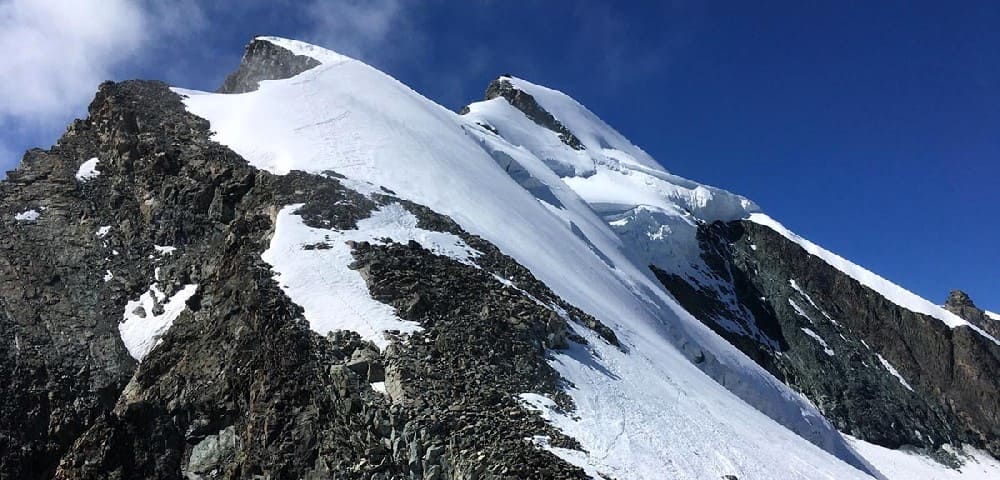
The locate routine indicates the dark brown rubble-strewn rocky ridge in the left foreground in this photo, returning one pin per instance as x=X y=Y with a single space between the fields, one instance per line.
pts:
x=239 y=386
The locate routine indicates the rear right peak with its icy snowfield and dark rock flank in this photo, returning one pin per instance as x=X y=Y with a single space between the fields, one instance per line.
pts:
x=761 y=306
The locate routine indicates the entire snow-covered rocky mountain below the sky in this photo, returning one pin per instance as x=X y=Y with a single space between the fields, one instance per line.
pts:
x=319 y=273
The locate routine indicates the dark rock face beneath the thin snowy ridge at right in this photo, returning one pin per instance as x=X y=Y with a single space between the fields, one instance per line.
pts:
x=833 y=331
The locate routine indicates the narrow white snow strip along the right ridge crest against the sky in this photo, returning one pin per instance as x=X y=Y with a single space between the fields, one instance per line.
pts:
x=887 y=289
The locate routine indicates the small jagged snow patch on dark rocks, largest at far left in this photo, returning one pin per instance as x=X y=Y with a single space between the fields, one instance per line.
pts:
x=140 y=329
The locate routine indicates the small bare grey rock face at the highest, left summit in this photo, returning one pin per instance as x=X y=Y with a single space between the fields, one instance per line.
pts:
x=264 y=60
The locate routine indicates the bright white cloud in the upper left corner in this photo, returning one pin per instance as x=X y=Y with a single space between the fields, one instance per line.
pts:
x=58 y=51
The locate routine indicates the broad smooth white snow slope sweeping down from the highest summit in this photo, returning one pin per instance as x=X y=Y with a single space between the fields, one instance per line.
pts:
x=335 y=117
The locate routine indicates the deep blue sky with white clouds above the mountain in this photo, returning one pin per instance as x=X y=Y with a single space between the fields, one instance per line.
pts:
x=872 y=128
